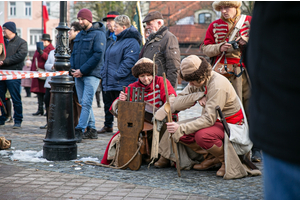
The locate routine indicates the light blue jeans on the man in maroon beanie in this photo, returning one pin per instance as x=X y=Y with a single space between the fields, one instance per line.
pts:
x=86 y=87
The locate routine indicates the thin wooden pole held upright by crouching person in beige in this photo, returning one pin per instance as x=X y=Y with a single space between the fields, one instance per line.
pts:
x=169 y=116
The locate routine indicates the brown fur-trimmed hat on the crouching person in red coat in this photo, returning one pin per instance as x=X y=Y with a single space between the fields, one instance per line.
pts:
x=142 y=66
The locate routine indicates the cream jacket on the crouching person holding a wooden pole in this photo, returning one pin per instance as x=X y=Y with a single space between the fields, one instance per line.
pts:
x=219 y=93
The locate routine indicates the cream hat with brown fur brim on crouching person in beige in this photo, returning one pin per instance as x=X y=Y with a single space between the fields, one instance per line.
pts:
x=194 y=68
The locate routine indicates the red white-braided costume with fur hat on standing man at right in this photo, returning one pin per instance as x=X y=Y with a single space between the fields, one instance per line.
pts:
x=215 y=38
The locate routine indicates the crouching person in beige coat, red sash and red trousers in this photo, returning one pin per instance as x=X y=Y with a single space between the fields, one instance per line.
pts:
x=205 y=135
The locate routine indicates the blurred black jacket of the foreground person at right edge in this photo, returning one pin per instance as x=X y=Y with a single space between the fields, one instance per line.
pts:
x=274 y=72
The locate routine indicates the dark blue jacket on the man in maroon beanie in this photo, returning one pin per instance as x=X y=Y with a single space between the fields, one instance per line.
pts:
x=88 y=51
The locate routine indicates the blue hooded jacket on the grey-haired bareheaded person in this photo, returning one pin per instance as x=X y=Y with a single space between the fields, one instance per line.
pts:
x=120 y=57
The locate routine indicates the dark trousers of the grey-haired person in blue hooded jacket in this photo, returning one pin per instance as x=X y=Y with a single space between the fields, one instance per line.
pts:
x=108 y=99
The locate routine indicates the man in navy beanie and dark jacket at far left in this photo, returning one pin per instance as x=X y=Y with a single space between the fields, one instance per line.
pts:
x=16 y=52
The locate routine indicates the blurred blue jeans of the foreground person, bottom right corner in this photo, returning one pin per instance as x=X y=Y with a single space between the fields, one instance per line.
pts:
x=281 y=179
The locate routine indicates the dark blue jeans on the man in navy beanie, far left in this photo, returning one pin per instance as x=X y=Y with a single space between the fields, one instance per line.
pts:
x=14 y=88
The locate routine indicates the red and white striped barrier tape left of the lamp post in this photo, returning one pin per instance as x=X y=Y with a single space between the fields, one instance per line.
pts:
x=12 y=74
